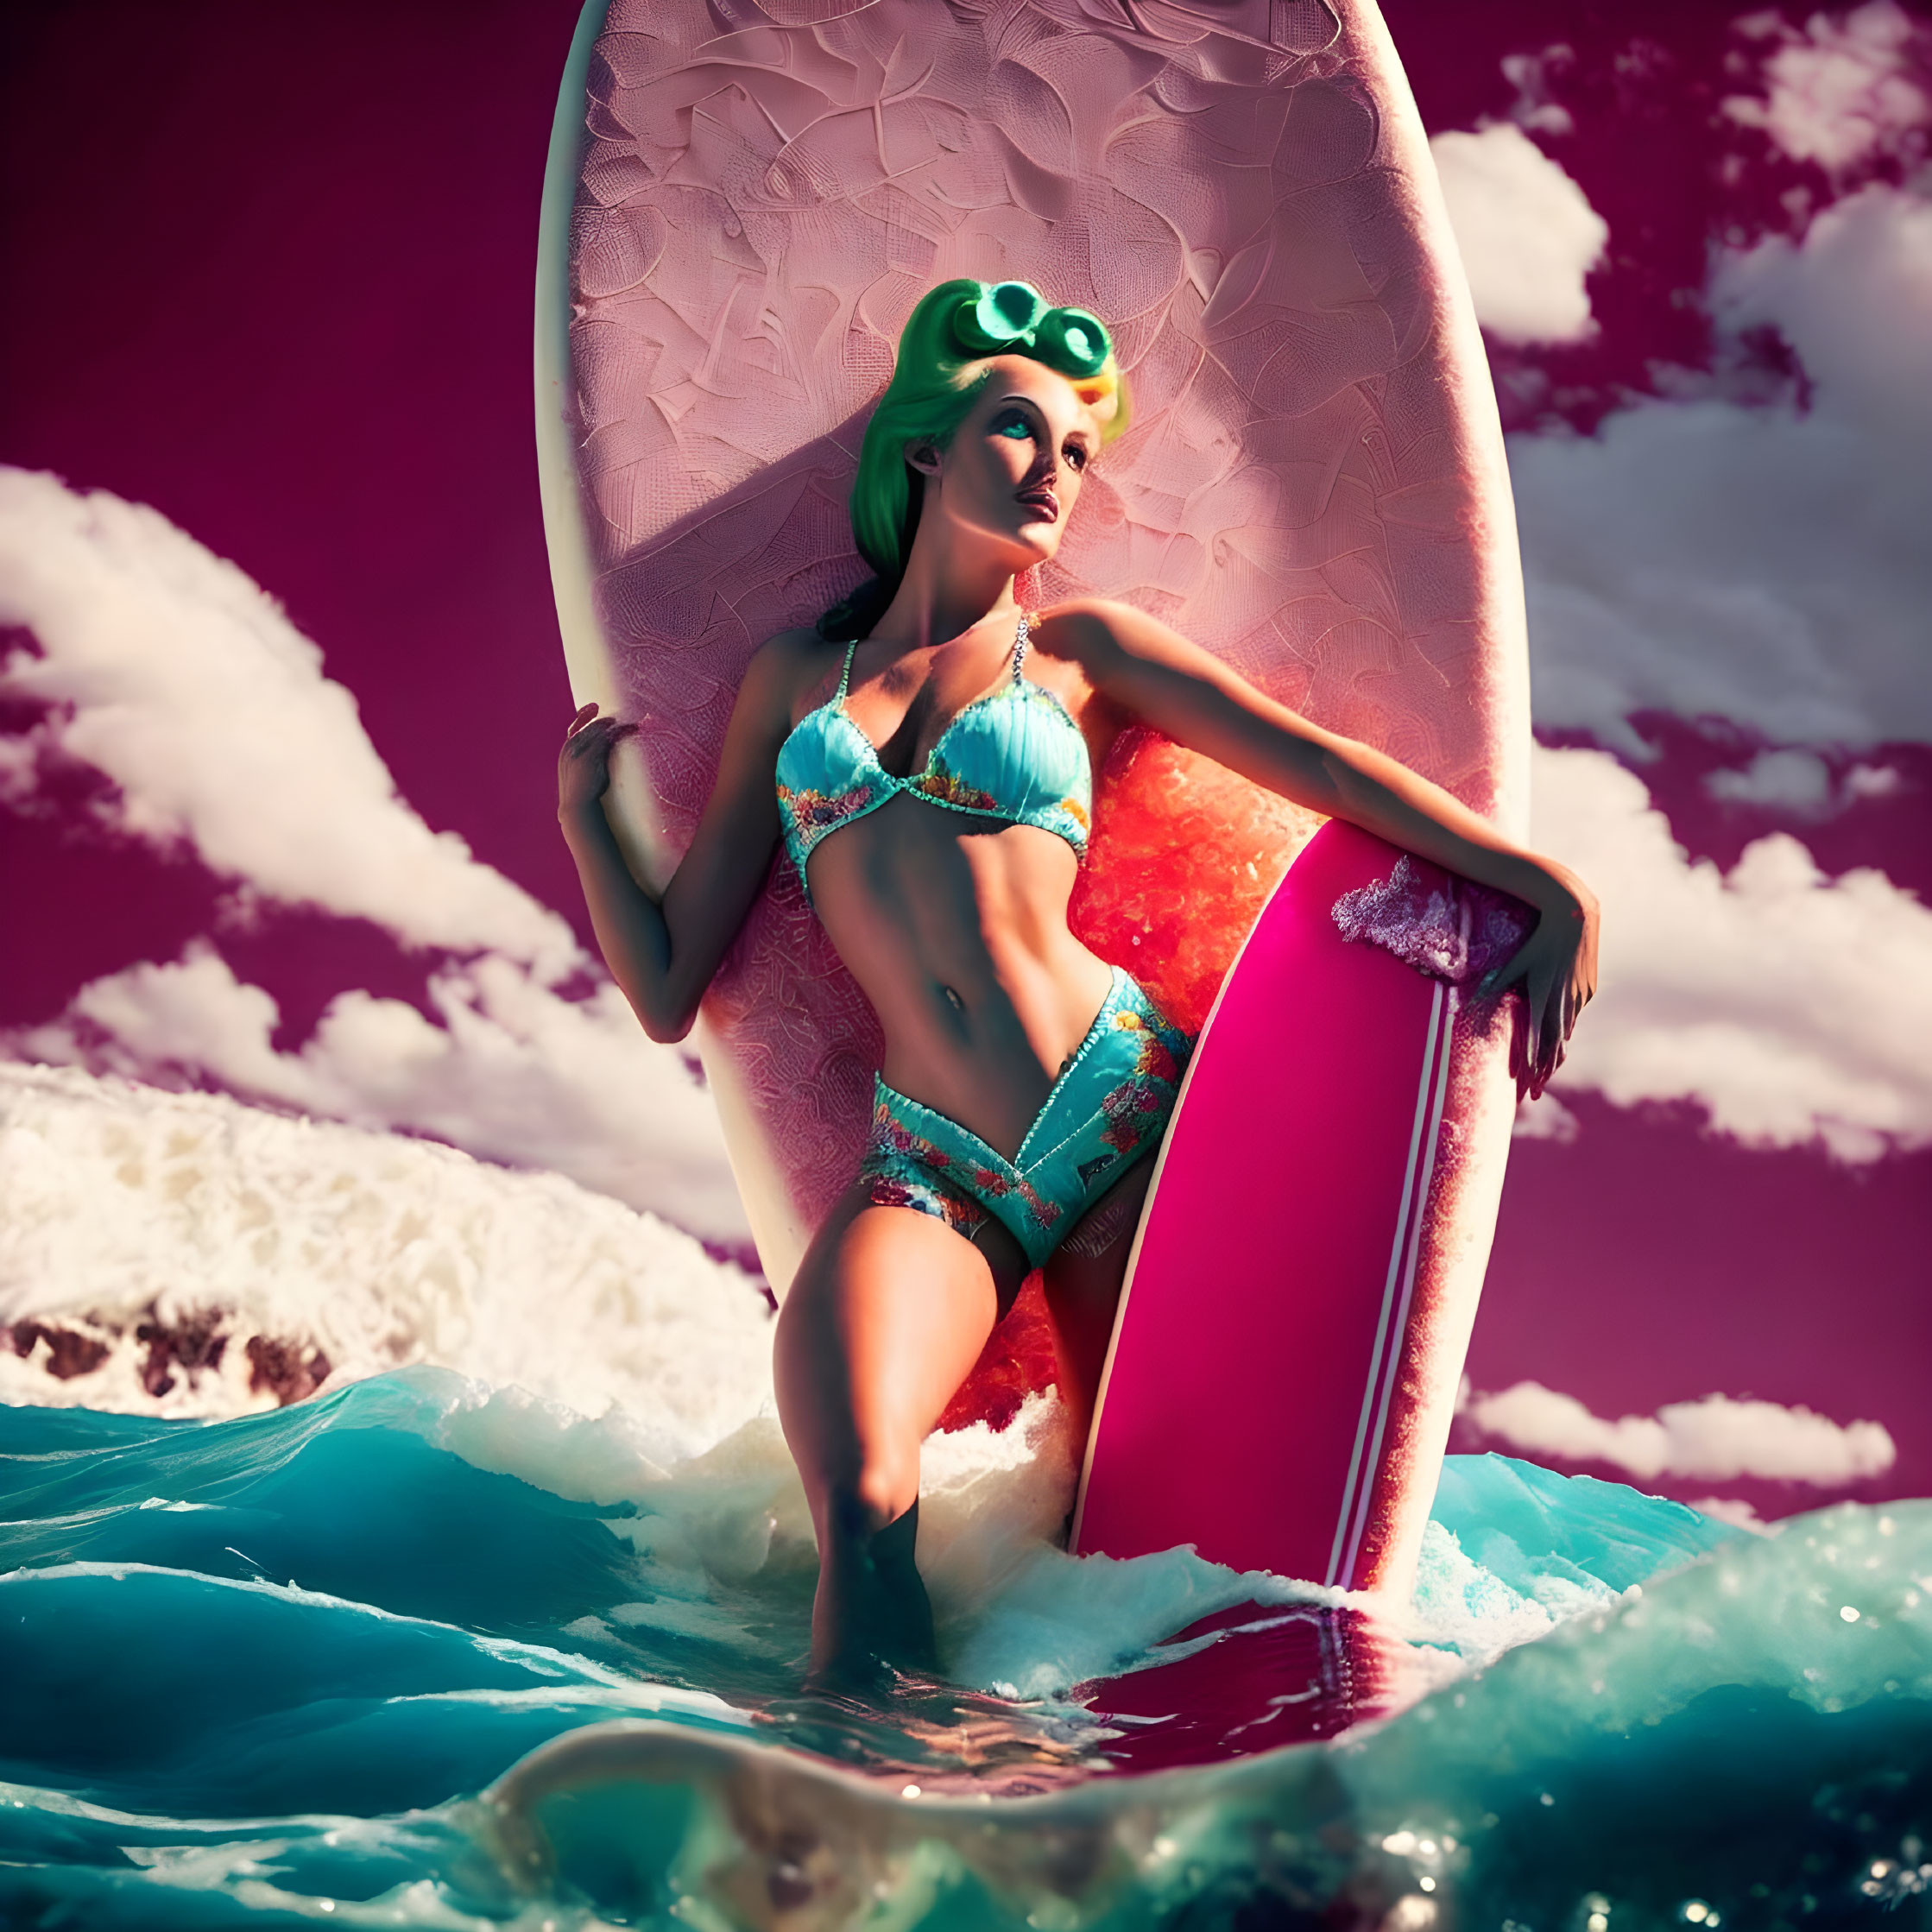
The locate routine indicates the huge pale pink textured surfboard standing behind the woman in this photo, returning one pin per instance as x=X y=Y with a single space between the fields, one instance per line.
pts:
x=747 y=200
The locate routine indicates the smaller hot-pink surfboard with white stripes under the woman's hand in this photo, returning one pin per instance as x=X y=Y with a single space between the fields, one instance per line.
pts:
x=1268 y=1396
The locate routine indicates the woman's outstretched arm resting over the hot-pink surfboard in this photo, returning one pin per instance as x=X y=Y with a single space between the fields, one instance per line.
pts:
x=1187 y=695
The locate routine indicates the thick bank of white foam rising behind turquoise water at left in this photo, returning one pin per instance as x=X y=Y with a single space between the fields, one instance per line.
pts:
x=123 y=1203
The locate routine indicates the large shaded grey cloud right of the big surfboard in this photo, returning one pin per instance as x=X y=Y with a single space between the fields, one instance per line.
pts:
x=1757 y=563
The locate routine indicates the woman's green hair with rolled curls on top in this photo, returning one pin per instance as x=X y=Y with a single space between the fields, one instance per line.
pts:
x=936 y=382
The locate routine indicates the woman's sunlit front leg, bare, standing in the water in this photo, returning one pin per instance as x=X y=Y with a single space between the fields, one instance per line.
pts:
x=884 y=1322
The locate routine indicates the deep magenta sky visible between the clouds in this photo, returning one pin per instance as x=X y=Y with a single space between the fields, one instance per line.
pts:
x=271 y=273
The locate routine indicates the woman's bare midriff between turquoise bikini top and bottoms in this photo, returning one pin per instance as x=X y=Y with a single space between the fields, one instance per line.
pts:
x=955 y=930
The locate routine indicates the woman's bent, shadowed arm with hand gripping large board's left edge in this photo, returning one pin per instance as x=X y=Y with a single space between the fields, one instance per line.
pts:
x=664 y=953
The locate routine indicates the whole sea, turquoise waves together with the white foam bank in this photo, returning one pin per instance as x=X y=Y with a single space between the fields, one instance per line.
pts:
x=279 y=1662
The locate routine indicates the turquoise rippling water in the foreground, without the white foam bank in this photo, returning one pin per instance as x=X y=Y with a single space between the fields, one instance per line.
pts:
x=258 y=1672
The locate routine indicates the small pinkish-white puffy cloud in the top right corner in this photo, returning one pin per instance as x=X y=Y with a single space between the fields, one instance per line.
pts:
x=1842 y=90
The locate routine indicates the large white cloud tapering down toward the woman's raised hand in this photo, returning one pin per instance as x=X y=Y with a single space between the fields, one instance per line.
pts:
x=186 y=685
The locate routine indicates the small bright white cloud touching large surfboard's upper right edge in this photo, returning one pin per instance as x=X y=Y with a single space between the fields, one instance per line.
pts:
x=1527 y=233
